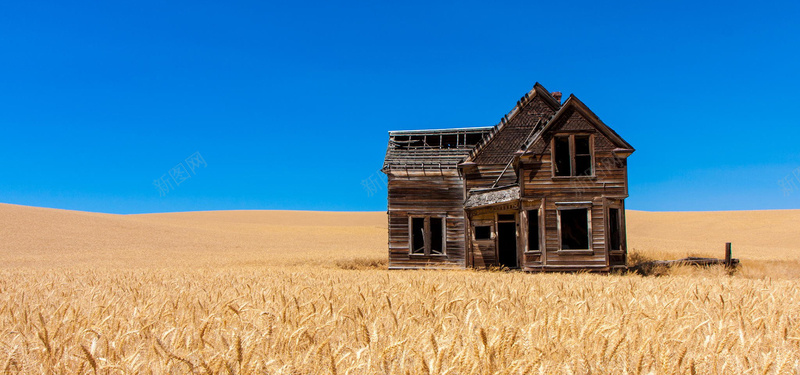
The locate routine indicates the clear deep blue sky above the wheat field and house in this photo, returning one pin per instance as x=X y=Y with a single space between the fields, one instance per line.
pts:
x=289 y=103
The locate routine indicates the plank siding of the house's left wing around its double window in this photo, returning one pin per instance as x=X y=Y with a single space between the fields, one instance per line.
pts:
x=424 y=193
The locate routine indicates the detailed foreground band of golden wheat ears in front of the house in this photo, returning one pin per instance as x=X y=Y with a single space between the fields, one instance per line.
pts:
x=328 y=321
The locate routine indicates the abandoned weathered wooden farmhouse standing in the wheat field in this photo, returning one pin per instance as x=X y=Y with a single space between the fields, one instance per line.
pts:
x=543 y=190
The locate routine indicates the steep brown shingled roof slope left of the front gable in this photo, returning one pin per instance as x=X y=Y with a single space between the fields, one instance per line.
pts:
x=508 y=136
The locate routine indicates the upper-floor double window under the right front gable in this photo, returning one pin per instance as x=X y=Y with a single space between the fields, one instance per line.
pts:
x=572 y=155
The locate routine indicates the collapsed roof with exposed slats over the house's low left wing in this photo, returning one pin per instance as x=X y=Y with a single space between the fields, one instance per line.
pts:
x=431 y=149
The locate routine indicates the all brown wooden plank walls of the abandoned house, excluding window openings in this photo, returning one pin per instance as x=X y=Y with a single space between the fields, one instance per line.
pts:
x=437 y=193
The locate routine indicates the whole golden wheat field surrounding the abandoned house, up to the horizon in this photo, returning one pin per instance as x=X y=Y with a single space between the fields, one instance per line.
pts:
x=305 y=293
